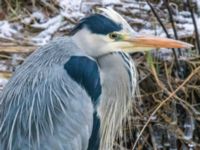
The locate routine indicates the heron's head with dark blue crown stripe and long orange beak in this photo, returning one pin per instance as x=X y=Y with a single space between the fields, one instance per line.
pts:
x=101 y=34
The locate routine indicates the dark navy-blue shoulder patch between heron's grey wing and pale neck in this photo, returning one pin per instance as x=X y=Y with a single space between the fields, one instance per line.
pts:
x=86 y=73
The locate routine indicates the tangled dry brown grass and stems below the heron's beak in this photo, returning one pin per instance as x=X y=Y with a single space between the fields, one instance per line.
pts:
x=167 y=111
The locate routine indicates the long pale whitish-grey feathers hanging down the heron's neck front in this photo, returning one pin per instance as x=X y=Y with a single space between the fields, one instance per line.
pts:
x=118 y=89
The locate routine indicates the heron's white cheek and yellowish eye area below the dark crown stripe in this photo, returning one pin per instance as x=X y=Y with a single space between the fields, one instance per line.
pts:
x=98 y=44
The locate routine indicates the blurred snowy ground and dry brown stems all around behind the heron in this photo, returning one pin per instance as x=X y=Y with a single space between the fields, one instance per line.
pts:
x=166 y=113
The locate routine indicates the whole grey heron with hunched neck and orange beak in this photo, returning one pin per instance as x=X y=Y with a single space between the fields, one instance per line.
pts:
x=73 y=93
